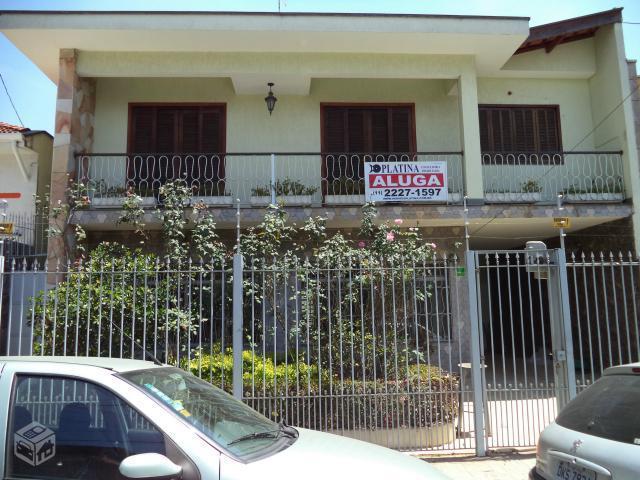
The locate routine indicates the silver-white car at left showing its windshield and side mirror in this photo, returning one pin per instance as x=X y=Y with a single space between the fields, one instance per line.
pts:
x=105 y=419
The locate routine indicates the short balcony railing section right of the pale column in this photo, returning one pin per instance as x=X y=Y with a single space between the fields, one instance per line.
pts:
x=532 y=178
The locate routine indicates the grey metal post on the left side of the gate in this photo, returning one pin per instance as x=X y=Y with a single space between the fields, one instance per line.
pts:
x=476 y=361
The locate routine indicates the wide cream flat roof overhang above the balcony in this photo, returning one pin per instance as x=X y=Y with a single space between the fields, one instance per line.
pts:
x=41 y=35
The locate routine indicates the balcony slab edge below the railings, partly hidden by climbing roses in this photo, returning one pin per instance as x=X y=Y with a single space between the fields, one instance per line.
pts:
x=511 y=224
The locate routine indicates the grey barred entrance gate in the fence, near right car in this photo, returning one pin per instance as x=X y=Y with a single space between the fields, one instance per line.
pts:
x=525 y=354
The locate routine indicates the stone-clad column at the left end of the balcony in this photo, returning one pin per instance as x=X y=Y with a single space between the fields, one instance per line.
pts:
x=75 y=107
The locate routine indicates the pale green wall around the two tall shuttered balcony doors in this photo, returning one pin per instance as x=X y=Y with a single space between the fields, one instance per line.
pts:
x=293 y=127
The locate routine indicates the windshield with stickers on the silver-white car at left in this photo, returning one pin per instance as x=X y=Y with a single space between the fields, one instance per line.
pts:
x=228 y=422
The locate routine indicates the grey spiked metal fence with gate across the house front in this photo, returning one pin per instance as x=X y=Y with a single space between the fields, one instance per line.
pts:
x=440 y=355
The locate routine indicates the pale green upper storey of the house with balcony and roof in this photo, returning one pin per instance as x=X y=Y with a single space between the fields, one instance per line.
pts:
x=519 y=115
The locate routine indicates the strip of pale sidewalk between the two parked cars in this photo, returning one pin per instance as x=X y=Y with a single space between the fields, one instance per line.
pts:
x=514 y=466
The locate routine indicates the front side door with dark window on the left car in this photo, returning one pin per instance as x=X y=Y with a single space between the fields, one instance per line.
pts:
x=72 y=427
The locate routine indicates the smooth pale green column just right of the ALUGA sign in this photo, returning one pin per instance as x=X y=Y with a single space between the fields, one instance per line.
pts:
x=470 y=131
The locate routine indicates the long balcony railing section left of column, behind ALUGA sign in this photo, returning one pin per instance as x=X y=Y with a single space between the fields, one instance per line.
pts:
x=256 y=179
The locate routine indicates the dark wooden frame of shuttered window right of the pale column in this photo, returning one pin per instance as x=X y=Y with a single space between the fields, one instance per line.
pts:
x=515 y=157
